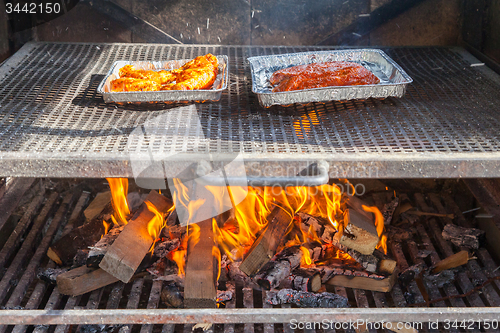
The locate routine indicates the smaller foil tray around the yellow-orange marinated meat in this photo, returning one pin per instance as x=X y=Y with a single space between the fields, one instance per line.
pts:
x=213 y=94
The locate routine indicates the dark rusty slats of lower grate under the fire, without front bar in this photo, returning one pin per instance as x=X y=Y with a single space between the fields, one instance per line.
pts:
x=51 y=211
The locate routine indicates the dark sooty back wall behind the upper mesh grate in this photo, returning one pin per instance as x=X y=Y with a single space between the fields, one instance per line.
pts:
x=474 y=24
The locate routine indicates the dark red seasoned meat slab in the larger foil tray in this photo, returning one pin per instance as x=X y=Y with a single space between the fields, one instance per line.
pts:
x=324 y=74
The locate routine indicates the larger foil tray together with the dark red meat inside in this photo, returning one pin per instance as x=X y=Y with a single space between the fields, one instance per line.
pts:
x=286 y=79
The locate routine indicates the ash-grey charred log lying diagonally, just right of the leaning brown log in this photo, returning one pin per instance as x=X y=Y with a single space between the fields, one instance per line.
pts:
x=278 y=269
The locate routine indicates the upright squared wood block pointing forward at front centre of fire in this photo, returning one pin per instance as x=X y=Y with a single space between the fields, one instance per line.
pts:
x=201 y=269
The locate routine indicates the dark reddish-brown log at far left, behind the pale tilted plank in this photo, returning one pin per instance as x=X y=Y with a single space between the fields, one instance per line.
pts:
x=64 y=250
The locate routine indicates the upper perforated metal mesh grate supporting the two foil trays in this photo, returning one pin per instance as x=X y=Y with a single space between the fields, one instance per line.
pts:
x=54 y=124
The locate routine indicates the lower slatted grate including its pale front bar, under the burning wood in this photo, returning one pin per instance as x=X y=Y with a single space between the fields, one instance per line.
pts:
x=23 y=254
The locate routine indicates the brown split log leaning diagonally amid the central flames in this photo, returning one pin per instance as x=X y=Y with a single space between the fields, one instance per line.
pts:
x=265 y=246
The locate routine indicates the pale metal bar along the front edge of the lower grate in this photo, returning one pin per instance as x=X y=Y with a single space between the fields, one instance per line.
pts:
x=244 y=316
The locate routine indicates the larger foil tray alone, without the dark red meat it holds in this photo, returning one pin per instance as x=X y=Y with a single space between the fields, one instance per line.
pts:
x=393 y=79
